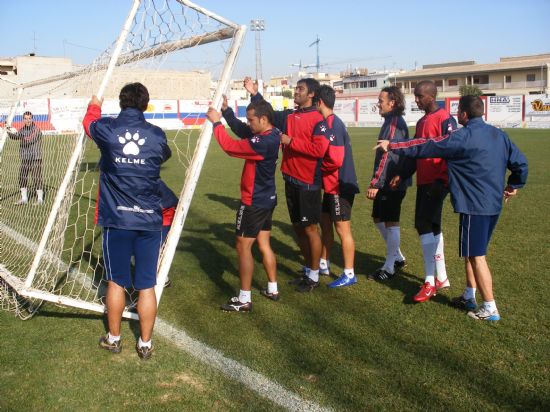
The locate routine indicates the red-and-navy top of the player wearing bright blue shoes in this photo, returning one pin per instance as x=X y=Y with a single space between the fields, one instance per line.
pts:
x=337 y=167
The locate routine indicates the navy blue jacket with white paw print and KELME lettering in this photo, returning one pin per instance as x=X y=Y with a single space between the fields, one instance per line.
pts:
x=132 y=151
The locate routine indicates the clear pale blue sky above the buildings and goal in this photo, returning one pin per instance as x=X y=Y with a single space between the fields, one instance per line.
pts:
x=372 y=34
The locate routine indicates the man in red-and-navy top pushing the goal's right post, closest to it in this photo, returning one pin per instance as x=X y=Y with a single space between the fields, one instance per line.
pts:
x=258 y=197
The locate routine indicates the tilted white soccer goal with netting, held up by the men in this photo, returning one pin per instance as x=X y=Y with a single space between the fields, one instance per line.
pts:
x=51 y=248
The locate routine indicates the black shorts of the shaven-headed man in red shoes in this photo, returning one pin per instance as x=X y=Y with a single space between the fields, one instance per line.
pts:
x=429 y=205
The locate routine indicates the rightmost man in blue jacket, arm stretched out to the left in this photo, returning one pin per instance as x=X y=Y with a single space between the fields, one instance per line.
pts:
x=477 y=156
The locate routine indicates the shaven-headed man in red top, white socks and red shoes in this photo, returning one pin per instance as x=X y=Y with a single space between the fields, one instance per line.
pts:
x=432 y=188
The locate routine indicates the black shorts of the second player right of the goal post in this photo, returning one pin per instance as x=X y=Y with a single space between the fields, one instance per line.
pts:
x=304 y=206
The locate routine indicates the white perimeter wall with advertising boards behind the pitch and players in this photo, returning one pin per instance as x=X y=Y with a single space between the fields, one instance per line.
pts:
x=55 y=115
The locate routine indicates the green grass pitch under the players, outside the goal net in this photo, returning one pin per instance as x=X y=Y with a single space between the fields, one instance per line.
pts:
x=361 y=348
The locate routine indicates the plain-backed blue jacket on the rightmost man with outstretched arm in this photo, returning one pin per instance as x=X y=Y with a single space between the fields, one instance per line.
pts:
x=477 y=157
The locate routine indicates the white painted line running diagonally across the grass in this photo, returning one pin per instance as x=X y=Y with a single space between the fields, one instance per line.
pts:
x=253 y=380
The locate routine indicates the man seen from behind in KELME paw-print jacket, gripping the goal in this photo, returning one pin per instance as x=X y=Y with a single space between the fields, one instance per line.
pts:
x=129 y=208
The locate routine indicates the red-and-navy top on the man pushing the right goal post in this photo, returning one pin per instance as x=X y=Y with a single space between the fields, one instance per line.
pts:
x=260 y=153
